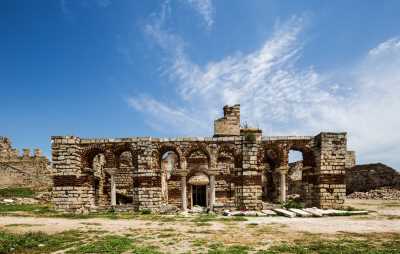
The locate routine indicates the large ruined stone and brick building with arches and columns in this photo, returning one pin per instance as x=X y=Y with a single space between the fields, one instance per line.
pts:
x=237 y=168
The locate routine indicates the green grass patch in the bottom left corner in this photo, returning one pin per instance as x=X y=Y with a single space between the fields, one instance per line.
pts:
x=35 y=242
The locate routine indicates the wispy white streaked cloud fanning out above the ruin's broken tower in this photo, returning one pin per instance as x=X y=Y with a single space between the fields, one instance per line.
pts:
x=266 y=82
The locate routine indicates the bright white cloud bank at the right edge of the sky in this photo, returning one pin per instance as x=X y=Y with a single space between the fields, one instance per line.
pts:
x=370 y=113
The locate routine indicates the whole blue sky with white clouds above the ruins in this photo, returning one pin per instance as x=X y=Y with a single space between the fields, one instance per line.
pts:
x=107 y=68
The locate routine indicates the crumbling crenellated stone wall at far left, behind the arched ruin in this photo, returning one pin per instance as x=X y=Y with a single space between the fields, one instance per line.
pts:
x=25 y=170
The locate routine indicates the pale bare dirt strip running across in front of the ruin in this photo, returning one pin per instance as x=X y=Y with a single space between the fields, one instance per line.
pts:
x=179 y=236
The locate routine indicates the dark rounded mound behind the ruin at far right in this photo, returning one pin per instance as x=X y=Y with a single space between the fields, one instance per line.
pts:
x=362 y=178
